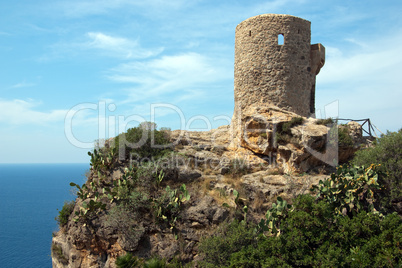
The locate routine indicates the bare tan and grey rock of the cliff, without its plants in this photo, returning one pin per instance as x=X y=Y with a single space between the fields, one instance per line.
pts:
x=205 y=162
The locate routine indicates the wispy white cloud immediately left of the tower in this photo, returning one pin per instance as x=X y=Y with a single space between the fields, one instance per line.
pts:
x=187 y=73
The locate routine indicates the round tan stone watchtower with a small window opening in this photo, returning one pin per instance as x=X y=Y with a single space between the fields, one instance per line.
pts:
x=275 y=64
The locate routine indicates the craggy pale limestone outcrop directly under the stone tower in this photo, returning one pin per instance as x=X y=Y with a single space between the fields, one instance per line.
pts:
x=268 y=131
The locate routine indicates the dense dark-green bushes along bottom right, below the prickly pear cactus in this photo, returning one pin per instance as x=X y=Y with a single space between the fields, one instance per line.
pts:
x=311 y=236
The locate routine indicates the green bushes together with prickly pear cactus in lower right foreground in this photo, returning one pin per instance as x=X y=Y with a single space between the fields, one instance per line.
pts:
x=340 y=227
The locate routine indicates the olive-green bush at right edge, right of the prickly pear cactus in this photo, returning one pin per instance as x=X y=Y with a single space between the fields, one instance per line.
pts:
x=387 y=151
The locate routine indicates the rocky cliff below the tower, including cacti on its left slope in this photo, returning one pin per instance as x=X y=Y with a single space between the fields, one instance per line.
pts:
x=281 y=155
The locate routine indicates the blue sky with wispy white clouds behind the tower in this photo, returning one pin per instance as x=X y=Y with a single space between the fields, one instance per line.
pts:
x=68 y=67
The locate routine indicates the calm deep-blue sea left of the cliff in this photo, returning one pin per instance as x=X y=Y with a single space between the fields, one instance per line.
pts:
x=30 y=195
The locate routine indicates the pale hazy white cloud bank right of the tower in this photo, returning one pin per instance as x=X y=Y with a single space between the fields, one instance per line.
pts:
x=365 y=79
